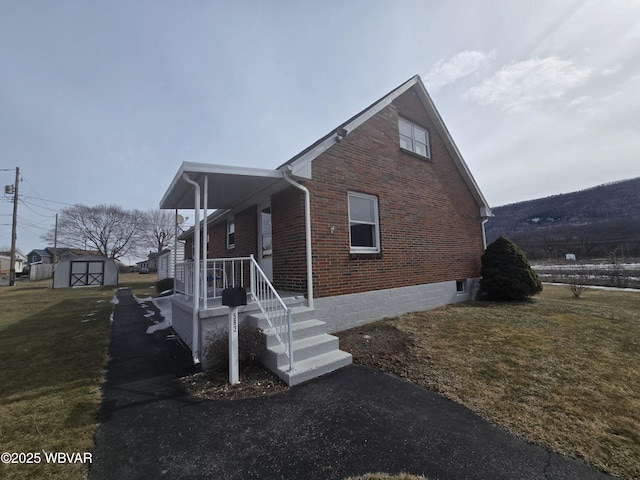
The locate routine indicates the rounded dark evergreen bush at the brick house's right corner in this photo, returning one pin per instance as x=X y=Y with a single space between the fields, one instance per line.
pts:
x=506 y=273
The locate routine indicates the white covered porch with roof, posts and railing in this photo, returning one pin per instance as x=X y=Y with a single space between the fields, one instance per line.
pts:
x=200 y=281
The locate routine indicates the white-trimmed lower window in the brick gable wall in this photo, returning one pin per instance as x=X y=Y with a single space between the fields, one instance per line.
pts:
x=364 y=227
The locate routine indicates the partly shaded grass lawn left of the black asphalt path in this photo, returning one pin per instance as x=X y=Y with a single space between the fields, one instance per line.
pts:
x=53 y=353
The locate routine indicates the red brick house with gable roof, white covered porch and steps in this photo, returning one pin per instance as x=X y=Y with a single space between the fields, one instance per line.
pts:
x=377 y=218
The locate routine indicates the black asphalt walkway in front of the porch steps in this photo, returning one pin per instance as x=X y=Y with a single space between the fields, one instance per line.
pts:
x=354 y=421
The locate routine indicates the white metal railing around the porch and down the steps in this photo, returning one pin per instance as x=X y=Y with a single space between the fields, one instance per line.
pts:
x=244 y=272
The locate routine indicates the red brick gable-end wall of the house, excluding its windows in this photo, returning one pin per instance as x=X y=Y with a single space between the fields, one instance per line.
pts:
x=430 y=225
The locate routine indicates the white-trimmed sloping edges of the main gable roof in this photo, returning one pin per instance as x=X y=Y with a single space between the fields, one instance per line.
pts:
x=300 y=164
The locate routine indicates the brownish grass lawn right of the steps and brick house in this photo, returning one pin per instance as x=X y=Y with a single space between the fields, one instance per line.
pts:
x=559 y=371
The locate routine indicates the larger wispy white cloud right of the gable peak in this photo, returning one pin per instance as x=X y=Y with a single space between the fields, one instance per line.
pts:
x=518 y=86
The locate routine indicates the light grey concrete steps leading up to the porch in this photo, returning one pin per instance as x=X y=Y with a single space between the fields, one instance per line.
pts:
x=315 y=352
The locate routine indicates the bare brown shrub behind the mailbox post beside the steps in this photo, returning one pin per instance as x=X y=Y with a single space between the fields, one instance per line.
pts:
x=251 y=346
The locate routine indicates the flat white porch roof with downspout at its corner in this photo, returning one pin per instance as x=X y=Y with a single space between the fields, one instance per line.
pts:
x=228 y=186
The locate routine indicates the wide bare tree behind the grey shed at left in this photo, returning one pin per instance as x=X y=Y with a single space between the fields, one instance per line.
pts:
x=111 y=230
